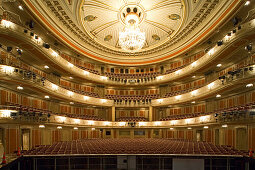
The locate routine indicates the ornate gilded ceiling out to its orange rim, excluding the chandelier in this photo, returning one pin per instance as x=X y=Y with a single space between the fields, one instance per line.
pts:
x=92 y=27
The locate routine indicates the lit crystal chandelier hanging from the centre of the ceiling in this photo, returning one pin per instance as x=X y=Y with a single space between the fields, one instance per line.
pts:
x=132 y=39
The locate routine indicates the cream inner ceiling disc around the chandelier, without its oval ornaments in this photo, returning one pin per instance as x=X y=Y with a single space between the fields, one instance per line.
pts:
x=155 y=22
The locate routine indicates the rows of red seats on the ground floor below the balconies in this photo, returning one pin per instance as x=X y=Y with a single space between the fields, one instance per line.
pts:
x=134 y=146
